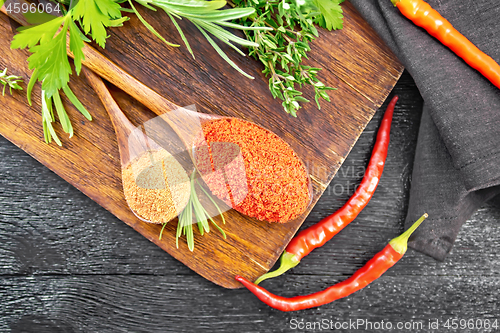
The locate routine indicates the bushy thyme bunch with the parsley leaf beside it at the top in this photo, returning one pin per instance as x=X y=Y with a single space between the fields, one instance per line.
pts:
x=283 y=49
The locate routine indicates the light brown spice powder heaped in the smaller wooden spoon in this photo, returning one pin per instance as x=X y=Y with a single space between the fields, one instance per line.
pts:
x=156 y=186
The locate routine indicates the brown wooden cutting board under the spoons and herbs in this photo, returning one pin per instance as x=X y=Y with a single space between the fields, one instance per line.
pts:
x=354 y=60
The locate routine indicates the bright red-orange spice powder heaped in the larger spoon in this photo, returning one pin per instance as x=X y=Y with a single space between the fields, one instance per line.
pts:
x=252 y=170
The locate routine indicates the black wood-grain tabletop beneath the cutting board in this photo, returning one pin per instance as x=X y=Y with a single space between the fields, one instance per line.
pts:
x=67 y=265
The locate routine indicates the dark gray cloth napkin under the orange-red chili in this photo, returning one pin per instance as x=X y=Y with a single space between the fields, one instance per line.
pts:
x=457 y=162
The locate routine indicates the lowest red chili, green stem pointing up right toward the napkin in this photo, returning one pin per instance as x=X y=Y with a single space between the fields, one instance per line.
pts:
x=371 y=271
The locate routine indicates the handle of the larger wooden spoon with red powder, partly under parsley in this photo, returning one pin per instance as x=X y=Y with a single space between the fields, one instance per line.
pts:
x=108 y=70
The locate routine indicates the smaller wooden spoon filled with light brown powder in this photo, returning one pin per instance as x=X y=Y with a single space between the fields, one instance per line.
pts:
x=143 y=171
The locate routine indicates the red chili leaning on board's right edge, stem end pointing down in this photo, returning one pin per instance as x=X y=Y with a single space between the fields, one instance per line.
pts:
x=320 y=233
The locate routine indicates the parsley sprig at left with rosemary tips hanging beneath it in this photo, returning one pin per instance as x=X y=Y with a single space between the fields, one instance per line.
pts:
x=49 y=60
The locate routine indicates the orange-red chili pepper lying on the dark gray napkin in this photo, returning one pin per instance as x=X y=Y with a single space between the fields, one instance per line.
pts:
x=423 y=15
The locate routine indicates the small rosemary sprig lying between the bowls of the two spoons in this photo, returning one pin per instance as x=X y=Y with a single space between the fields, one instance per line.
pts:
x=194 y=208
